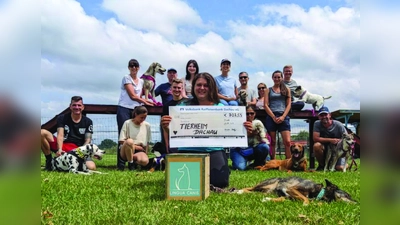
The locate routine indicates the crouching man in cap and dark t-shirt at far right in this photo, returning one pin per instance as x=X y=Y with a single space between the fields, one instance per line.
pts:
x=327 y=131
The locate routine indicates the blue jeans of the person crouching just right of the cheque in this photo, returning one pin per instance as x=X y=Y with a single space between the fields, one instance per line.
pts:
x=240 y=162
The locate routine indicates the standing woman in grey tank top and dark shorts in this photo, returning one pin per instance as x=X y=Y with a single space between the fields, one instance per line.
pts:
x=277 y=102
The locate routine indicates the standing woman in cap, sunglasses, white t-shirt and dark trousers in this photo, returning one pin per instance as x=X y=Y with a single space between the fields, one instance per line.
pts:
x=130 y=97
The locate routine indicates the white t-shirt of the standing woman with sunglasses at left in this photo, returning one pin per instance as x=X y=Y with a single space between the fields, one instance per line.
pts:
x=124 y=99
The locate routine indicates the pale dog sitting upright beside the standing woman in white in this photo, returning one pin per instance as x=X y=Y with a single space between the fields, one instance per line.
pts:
x=149 y=81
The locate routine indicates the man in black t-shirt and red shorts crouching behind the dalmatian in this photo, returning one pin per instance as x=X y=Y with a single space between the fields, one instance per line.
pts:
x=73 y=130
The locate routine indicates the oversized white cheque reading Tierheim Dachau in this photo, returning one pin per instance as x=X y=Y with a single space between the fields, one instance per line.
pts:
x=207 y=126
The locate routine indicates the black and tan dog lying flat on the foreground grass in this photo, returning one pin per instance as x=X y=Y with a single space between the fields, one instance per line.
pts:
x=296 y=188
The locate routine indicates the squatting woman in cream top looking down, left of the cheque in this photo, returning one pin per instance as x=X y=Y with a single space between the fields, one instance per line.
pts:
x=134 y=138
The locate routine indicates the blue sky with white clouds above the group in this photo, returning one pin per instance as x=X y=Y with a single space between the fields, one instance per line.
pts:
x=86 y=45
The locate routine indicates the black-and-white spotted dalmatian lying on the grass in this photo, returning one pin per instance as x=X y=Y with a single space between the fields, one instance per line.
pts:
x=74 y=161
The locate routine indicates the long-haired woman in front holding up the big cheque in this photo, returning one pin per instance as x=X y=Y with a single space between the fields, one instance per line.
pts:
x=204 y=91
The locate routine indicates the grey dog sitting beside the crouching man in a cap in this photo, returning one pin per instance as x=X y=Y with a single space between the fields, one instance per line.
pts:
x=341 y=149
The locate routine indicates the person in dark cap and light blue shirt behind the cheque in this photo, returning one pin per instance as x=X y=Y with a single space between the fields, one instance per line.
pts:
x=227 y=88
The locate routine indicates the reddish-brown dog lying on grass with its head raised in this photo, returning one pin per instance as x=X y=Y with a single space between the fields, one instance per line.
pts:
x=297 y=163
